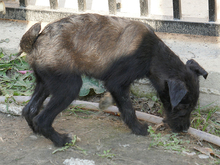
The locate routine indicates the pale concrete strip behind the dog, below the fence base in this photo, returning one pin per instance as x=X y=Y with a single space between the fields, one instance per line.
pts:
x=204 y=49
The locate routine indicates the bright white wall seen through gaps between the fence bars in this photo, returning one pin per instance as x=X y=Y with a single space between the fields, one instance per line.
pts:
x=192 y=10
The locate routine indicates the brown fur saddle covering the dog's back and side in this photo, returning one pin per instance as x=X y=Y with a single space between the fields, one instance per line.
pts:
x=89 y=42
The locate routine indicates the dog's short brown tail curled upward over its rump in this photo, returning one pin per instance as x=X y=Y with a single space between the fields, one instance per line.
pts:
x=29 y=38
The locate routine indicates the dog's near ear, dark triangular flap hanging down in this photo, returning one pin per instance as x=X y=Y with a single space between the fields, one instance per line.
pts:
x=177 y=90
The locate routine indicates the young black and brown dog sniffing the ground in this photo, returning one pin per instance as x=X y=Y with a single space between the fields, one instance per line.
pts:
x=114 y=50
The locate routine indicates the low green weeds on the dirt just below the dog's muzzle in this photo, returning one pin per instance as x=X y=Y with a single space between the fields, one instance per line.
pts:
x=168 y=142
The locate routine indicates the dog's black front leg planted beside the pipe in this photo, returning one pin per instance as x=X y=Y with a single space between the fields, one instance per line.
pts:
x=122 y=99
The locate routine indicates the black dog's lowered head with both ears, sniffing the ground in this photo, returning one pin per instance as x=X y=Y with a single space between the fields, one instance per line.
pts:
x=183 y=96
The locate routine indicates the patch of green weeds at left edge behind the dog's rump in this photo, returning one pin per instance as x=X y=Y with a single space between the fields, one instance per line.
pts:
x=12 y=82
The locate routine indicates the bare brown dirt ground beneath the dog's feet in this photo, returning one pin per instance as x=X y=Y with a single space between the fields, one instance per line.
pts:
x=98 y=132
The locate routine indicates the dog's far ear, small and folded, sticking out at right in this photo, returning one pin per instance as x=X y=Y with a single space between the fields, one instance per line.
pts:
x=196 y=68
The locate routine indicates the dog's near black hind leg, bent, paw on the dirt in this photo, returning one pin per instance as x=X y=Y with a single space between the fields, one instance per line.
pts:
x=64 y=89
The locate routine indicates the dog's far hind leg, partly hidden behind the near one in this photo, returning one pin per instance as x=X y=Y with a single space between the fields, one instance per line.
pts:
x=35 y=103
